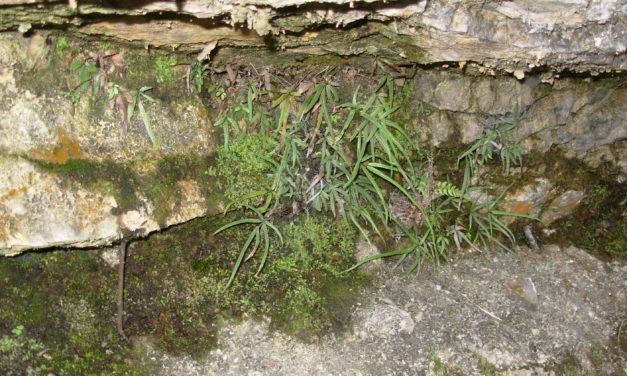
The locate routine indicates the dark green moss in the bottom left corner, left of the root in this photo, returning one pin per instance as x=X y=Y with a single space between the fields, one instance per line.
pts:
x=64 y=302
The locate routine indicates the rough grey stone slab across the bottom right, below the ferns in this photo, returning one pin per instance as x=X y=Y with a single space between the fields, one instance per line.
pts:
x=557 y=311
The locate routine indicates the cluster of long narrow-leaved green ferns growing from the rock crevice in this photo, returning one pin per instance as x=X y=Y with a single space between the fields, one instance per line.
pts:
x=345 y=160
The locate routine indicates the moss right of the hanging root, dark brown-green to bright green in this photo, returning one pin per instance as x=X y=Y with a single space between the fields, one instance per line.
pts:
x=175 y=282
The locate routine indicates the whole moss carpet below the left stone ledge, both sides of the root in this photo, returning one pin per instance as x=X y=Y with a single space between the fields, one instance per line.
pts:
x=63 y=303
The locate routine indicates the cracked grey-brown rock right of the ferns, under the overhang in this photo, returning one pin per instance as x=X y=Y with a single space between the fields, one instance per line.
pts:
x=575 y=115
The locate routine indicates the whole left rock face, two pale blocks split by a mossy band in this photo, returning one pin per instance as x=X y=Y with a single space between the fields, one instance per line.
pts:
x=70 y=175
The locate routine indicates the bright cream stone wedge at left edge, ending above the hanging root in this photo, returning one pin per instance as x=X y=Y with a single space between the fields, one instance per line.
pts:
x=39 y=210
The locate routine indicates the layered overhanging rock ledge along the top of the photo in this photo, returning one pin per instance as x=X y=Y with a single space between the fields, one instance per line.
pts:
x=518 y=35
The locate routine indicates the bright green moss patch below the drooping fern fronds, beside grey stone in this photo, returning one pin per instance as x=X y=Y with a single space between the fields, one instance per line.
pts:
x=301 y=287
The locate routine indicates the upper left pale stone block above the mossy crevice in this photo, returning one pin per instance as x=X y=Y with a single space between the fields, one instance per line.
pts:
x=35 y=123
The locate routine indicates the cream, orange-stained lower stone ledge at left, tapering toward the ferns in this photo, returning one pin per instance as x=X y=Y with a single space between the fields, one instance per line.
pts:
x=39 y=209
